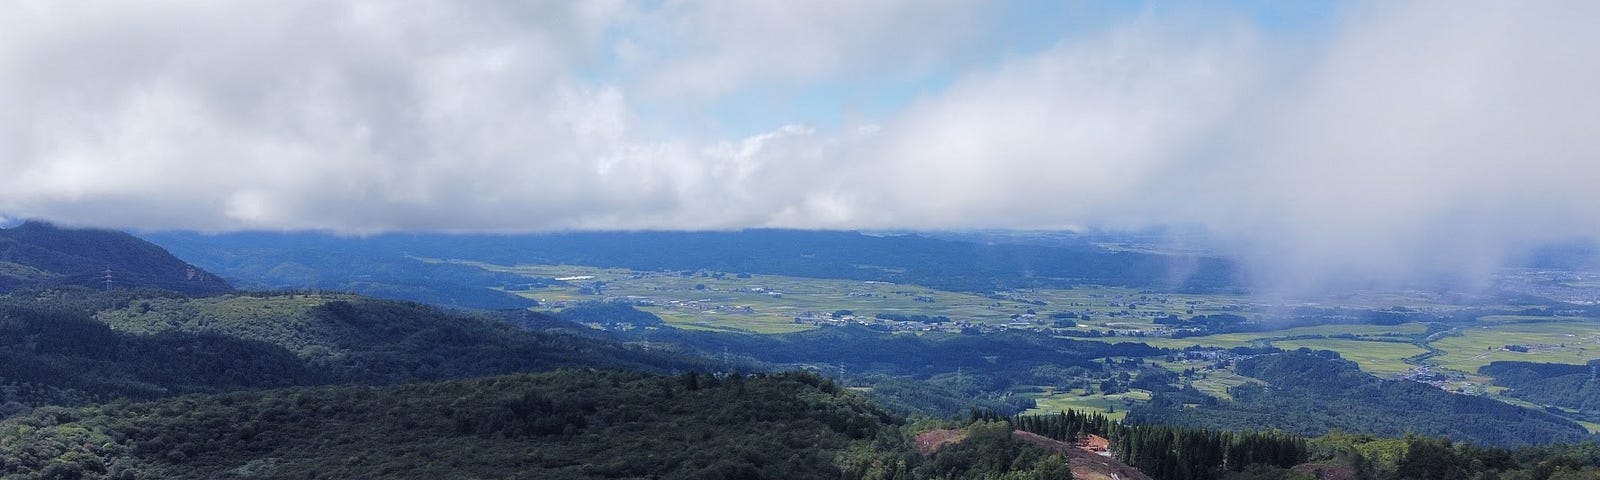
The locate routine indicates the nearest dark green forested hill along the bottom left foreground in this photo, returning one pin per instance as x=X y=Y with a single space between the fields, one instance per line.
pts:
x=564 y=425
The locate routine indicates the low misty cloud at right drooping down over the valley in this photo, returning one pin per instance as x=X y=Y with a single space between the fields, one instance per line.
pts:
x=1438 y=137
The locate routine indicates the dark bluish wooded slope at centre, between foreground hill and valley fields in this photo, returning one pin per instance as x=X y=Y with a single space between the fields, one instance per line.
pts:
x=930 y=374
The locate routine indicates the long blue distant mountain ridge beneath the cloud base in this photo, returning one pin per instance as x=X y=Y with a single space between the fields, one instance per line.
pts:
x=279 y=260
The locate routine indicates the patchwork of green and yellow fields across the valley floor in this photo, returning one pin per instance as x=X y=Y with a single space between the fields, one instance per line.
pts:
x=745 y=303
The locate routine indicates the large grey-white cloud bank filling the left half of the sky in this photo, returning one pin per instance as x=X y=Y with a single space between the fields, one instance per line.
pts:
x=361 y=118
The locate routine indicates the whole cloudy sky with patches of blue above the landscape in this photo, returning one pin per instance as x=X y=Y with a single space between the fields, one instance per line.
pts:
x=1382 y=138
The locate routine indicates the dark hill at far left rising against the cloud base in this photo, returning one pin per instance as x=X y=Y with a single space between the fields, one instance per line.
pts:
x=38 y=254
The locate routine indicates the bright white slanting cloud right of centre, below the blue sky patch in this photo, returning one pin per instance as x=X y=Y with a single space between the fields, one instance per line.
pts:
x=1078 y=134
